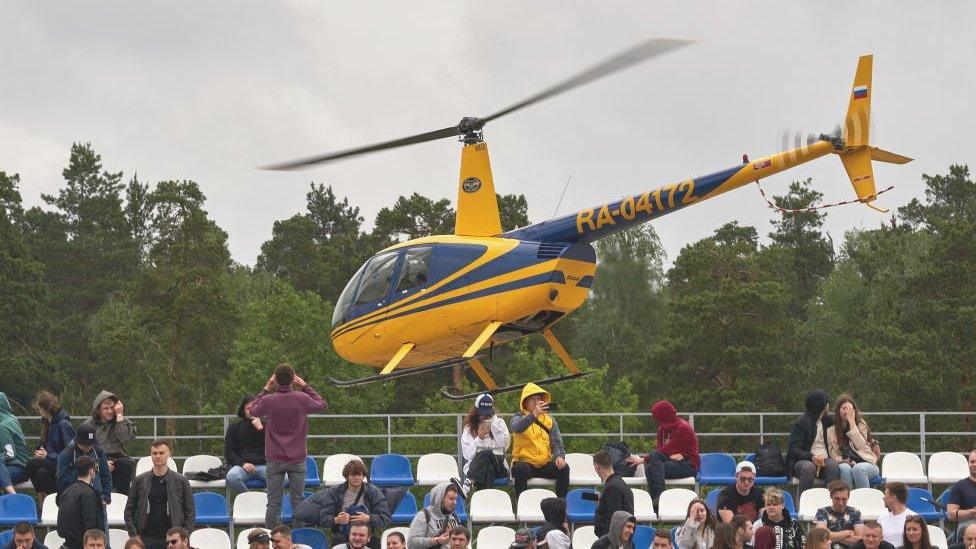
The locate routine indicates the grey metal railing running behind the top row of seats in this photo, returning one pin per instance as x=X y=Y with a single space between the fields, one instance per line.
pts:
x=738 y=433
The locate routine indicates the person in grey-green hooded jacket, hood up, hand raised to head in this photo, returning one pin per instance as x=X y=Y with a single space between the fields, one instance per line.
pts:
x=112 y=432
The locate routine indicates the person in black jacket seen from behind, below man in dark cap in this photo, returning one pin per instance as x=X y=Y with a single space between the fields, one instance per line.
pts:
x=80 y=506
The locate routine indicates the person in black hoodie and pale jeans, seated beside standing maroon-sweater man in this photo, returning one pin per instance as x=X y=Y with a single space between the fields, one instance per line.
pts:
x=244 y=449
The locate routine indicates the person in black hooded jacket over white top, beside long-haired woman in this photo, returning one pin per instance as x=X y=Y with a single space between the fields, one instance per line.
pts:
x=808 y=456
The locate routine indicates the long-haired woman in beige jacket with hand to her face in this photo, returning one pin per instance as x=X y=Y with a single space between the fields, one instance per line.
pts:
x=852 y=446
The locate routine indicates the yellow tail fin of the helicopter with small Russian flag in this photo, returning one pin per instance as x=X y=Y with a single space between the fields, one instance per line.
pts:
x=857 y=152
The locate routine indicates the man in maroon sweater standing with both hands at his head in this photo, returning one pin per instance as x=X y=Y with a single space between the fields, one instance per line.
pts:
x=286 y=402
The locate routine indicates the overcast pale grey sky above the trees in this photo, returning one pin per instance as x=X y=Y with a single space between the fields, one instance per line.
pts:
x=210 y=90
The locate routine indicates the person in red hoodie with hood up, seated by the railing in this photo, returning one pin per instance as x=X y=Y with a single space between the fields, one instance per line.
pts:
x=677 y=450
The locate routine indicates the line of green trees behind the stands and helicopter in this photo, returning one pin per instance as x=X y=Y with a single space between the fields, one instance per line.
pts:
x=120 y=284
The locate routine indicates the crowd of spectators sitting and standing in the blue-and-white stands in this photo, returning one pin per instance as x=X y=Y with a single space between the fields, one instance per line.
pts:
x=267 y=446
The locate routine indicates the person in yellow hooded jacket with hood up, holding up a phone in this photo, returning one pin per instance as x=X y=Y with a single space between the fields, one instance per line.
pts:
x=537 y=447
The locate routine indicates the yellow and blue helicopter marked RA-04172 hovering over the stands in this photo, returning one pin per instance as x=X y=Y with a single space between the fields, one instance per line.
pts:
x=436 y=302
